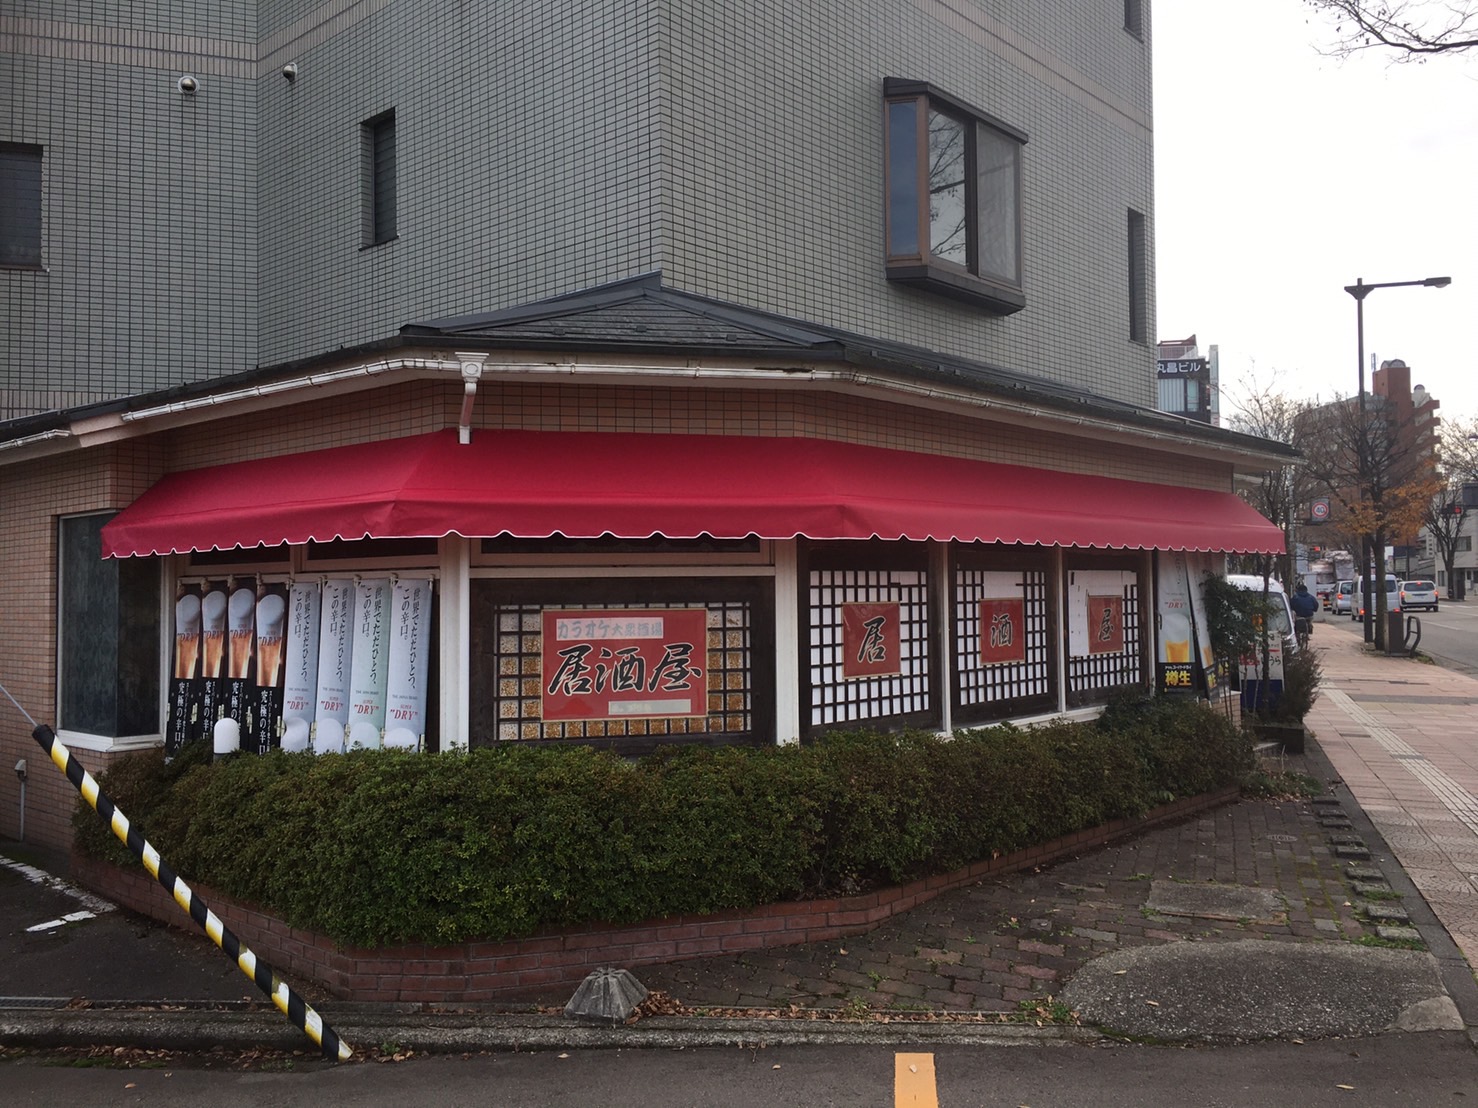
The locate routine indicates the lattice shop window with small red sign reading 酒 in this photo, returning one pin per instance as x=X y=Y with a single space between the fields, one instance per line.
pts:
x=1006 y=657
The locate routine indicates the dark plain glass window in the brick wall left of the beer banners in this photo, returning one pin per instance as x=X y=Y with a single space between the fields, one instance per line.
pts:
x=109 y=636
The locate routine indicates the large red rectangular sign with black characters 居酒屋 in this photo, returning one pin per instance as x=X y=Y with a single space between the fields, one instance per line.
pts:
x=613 y=664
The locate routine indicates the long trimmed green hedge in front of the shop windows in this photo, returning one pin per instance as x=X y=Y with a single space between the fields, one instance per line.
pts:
x=381 y=847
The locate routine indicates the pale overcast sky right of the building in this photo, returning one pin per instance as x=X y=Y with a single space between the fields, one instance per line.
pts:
x=1284 y=177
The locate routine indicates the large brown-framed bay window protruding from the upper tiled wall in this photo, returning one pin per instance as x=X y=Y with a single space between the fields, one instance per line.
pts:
x=954 y=197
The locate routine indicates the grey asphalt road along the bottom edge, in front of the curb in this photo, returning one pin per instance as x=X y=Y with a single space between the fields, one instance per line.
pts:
x=1384 y=1070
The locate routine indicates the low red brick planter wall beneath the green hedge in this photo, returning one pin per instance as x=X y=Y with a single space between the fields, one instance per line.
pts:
x=474 y=973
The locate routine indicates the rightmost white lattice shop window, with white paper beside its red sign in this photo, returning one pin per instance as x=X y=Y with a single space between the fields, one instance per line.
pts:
x=1106 y=648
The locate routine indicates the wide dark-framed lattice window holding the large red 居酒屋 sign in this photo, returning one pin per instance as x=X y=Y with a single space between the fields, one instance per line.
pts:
x=624 y=679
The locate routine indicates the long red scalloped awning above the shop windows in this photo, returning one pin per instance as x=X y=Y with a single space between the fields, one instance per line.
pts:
x=586 y=485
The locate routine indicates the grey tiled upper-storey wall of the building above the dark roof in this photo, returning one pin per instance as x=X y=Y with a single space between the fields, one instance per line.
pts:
x=543 y=148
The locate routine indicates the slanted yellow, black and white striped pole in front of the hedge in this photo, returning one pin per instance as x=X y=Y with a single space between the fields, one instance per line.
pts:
x=289 y=1002
